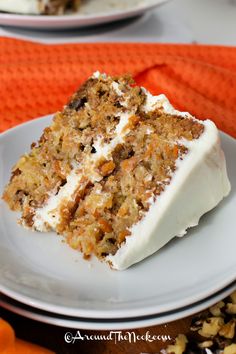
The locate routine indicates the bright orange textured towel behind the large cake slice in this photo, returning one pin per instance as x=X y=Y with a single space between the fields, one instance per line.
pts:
x=38 y=79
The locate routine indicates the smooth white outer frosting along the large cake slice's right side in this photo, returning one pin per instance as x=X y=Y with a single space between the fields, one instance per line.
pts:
x=199 y=183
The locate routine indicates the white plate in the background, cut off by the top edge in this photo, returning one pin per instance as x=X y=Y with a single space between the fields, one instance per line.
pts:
x=93 y=12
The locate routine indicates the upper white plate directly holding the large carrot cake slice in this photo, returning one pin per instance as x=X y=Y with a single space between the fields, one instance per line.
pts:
x=41 y=271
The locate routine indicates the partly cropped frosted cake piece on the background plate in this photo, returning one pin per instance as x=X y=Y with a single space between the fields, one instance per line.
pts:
x=39 y=7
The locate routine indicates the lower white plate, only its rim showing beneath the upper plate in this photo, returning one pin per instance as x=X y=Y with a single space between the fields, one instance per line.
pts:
x=112 y=324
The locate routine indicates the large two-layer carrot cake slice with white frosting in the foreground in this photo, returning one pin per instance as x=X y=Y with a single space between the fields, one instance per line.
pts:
x=119 y=172
